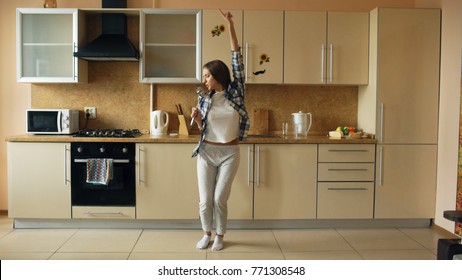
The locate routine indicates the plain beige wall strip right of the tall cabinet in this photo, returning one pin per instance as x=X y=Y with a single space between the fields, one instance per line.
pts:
x=448 y=135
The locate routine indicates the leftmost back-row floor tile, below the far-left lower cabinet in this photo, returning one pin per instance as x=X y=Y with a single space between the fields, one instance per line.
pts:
x=35 y=240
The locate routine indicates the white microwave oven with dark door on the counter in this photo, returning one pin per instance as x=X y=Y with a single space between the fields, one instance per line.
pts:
x=52 y=121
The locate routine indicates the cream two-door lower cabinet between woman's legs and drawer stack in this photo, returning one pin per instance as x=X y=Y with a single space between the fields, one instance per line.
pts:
x=282 y=180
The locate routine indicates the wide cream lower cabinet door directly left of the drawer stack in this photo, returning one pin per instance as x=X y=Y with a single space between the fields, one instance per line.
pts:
x=285 y=181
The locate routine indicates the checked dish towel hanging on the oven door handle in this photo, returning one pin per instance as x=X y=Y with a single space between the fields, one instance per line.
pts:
x=99 y=170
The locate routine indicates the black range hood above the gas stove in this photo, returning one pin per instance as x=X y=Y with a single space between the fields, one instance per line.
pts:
x=113 y=44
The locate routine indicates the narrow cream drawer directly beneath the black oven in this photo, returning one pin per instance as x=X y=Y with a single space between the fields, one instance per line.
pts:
x=89 y=212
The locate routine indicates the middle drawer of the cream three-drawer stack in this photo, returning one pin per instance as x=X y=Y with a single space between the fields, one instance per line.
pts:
x=333 y=172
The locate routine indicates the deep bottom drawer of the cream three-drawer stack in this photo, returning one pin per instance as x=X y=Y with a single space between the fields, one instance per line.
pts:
x=345 y=200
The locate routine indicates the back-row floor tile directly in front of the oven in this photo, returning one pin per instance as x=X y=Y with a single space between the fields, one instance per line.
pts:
x=101 y=240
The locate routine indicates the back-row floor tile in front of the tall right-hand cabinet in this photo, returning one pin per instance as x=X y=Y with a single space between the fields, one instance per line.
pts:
x=378 y=239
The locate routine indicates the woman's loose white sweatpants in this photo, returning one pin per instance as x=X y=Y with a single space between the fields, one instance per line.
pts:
x=216 y=167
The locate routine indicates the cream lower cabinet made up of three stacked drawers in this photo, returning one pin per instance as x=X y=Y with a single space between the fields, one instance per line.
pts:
x=346 y=181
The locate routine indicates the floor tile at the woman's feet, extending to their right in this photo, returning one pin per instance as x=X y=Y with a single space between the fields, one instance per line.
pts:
x=248 y=241
